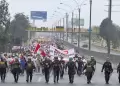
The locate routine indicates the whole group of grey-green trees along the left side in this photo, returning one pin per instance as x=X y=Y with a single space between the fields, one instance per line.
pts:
x=12 y=32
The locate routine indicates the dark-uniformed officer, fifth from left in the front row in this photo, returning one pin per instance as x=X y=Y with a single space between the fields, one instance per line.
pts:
x=56 y=69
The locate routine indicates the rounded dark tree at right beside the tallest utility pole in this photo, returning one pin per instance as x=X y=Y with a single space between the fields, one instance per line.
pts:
x=108 y=32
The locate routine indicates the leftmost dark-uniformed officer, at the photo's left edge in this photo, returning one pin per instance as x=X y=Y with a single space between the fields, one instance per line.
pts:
x=3 y=66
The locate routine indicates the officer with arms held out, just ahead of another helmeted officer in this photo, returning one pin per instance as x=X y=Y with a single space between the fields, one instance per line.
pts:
x=89 y=71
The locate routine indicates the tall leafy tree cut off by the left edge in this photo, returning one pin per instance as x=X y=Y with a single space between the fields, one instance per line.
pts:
x=4 y=25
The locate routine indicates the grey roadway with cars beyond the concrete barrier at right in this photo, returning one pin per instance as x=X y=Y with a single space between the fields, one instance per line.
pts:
x=95 y=48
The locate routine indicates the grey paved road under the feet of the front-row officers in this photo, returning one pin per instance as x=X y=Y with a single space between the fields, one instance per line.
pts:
x=38 y=80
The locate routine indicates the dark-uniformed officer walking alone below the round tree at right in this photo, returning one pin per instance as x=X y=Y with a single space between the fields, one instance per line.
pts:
x=107 y=67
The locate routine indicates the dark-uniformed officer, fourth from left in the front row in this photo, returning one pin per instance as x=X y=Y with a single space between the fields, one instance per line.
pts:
x=47 y=66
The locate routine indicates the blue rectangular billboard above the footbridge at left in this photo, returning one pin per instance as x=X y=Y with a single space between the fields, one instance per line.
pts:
x=39 y=15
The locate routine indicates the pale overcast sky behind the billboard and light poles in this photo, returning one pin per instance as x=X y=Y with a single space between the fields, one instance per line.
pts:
x=98 y=10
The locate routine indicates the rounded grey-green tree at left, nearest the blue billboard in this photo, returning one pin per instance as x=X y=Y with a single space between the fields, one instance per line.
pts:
x=18 y=27
